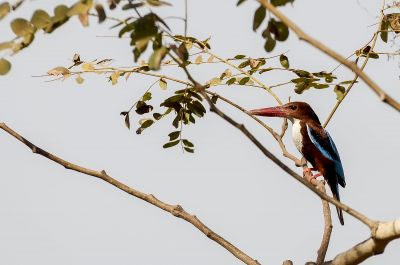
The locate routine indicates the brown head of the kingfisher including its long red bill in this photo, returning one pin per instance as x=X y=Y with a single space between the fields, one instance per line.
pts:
x=293 y=110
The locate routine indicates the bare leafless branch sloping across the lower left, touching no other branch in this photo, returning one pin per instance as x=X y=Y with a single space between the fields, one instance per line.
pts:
x=175 y=210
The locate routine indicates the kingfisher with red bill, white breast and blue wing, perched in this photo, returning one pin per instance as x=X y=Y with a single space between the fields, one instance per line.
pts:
x=313 y=142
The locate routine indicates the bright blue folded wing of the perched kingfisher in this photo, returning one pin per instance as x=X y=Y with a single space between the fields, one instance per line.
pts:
x=328 y=149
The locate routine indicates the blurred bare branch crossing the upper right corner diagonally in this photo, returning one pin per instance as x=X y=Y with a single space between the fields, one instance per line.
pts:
x=352 y=66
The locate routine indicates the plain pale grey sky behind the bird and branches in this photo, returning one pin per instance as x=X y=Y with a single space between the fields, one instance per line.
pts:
x=50 y=215
